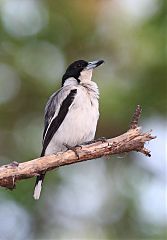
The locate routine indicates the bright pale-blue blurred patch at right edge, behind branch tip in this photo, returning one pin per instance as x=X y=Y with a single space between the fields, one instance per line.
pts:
x=153 y=193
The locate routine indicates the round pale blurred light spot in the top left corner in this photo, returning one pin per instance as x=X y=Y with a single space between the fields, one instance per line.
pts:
x=23 y=17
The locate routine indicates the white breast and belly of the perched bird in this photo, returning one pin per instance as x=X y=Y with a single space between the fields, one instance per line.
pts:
x=80 y=122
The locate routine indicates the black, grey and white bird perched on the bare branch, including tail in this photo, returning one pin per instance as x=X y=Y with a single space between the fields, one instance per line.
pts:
x=71 y=113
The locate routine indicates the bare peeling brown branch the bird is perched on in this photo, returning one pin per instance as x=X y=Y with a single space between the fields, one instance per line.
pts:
x=132 y=140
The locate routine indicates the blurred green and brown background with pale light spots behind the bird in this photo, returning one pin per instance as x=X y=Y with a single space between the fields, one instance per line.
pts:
x=123 y=197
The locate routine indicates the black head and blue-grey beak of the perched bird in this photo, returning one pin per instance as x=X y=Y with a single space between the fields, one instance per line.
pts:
x=74 y=70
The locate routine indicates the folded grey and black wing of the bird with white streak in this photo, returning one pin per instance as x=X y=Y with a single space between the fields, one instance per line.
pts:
x=52 y=120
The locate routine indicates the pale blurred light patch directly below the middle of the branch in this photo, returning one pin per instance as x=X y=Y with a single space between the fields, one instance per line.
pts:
x=85 y=187
